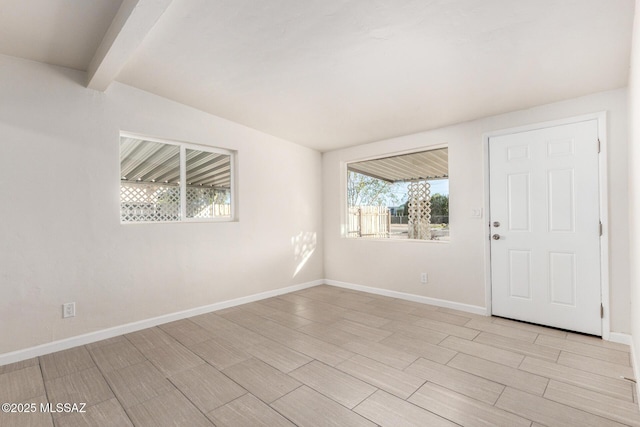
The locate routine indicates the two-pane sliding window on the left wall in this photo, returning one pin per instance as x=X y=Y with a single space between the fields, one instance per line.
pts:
x=162 y=181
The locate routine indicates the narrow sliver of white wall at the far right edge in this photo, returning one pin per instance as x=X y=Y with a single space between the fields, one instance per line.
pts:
x=634 y=188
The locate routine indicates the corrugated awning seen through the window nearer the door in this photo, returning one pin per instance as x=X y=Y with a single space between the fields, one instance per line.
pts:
x=424 y=165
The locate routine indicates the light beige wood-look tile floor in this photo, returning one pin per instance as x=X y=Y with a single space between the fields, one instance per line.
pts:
x=327 y=356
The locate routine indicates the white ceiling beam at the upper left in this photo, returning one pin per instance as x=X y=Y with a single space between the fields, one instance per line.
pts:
x=132 y=23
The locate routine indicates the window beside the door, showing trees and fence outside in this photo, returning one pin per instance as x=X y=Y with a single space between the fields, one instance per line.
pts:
x=399 y=197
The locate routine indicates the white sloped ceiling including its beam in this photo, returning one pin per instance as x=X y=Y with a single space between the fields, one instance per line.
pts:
x=334 y=73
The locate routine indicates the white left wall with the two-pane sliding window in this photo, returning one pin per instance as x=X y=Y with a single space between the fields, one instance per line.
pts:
x=60 y=235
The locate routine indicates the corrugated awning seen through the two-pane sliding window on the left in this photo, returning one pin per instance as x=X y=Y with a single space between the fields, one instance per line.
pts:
x=149 y=161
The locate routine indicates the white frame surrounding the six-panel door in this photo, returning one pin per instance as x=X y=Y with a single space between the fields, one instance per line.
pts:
x=601 y=118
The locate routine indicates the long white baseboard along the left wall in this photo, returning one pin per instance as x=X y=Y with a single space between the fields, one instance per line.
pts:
x=40 y=350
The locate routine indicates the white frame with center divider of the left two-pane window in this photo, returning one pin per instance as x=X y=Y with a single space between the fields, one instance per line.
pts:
x=184 y=146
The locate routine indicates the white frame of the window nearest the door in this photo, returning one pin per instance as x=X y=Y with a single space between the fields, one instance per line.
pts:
x=344 y=171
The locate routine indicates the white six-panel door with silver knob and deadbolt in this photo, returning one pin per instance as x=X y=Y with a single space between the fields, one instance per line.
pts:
x=545 y=226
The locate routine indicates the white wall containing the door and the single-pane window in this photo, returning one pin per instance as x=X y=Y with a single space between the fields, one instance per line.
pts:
x=457 y=269
